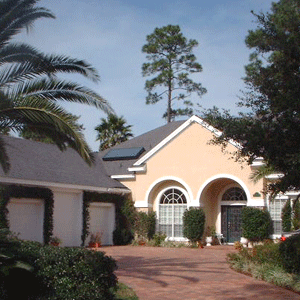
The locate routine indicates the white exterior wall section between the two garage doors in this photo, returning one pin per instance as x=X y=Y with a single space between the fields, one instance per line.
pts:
x=67 y=216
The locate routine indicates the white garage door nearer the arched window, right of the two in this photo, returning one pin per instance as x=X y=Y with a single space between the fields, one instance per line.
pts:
x=102 y=219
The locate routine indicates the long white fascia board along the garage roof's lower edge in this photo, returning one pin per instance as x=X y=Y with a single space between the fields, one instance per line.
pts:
x=54 y=185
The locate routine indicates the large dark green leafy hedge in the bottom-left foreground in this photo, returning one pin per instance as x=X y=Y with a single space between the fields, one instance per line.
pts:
x=67 y=273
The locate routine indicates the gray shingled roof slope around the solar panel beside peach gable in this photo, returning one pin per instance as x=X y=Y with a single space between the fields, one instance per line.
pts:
x=147 y=140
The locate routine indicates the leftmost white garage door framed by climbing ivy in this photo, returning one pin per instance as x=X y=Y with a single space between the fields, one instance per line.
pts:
x=26 y=217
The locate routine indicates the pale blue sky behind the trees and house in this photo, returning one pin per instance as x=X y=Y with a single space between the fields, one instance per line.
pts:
x=109 y=34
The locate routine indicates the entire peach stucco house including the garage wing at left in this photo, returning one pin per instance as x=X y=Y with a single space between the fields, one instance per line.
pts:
x=166 y=170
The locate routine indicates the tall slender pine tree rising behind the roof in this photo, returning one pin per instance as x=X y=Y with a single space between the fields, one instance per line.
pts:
x=171 y=59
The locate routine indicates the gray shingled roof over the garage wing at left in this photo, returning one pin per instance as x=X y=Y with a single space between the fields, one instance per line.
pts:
x=46 y=163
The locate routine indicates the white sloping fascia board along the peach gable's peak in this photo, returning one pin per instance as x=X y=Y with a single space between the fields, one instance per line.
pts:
x=193 y=119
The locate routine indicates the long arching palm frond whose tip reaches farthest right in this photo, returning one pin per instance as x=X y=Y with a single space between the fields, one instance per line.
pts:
x=55 y=90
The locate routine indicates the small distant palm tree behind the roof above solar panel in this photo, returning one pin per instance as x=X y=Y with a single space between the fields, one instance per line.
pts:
x=112 y=131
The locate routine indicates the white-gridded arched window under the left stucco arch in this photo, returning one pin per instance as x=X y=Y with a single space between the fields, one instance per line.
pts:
x=172 y=205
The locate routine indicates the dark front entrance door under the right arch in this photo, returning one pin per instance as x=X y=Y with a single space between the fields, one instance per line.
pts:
x=231 y=223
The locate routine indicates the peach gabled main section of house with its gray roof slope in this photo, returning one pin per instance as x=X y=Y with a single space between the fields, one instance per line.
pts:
x=181 y=170
